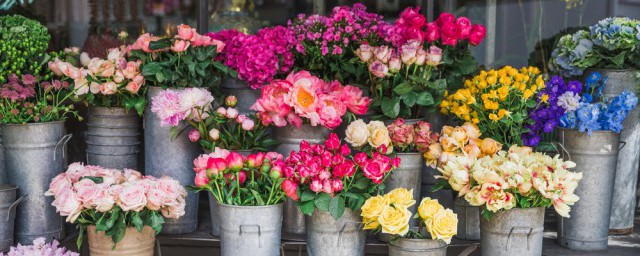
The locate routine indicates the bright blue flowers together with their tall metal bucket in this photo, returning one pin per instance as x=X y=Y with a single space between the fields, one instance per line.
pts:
x=590 y=135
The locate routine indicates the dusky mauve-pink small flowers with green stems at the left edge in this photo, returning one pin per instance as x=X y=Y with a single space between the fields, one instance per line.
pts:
x=26 y=99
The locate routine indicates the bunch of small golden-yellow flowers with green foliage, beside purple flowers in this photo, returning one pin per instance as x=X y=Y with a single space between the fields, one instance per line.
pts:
x=497 y=101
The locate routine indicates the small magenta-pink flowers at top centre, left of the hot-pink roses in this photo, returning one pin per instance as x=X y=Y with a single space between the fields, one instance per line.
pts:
x=334 y=34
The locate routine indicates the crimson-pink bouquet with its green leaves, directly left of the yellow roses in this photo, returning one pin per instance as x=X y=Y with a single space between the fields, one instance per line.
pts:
x=327 y=177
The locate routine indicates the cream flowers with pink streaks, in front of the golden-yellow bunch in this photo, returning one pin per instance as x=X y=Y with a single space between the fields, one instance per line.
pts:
x=518 y=178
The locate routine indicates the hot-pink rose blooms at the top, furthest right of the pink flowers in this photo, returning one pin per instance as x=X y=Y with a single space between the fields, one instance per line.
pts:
x=447 y=29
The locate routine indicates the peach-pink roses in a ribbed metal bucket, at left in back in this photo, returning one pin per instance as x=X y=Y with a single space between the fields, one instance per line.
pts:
x=114 y=90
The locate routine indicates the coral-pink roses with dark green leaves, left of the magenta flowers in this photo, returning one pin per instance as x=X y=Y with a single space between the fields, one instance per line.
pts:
x=186 y=60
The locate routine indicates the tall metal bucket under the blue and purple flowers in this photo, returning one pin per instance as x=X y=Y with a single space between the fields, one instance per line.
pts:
x=596 y=158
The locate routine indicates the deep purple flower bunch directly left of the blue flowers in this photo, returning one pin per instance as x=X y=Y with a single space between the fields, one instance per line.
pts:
x=552 y=103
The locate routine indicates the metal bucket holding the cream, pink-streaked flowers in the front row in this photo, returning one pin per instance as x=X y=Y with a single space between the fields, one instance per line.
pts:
x=513 y=232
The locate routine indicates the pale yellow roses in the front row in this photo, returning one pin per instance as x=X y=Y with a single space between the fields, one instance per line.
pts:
x=390 y=214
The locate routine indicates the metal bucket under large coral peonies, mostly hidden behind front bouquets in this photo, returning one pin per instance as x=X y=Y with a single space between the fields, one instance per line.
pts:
x=289 y=138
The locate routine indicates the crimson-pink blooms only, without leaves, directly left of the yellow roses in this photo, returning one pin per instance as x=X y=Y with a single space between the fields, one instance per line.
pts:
x=326 y=167
